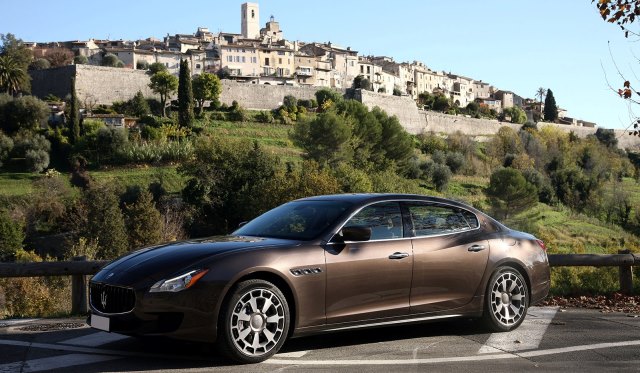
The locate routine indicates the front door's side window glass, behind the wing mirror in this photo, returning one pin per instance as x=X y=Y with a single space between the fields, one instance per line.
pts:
x=384 y=219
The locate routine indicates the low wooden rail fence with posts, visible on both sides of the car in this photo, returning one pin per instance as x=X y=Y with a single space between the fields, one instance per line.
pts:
x=80 y=268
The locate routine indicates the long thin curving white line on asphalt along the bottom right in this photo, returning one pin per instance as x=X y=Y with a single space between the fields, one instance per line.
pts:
x=474 y=358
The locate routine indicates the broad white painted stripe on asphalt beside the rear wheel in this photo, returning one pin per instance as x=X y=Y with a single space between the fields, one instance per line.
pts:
x=526 y=337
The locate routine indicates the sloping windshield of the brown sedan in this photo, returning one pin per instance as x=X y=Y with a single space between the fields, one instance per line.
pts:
x=298 y=220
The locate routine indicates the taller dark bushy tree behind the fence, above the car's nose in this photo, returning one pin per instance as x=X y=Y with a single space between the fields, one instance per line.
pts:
x=105 y=222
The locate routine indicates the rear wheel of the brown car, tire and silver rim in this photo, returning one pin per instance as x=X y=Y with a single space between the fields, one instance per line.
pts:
x=506 y=300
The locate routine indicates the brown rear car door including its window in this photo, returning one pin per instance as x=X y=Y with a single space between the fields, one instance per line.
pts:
x=450 y=256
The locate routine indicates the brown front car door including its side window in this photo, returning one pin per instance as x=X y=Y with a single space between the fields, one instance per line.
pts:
x=370 y=279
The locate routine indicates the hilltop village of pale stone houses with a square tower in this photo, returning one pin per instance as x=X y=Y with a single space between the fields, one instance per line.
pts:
x=264 y=56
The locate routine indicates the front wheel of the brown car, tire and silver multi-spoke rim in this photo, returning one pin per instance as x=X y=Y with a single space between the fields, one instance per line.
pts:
x=240 y=324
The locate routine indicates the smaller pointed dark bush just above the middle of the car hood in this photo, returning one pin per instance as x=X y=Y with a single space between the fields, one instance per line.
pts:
x=144 y=222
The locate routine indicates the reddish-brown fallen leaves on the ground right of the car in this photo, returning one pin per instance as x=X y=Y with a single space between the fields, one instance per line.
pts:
x=605 y=303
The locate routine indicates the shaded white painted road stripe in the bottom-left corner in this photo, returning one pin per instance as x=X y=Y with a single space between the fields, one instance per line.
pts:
x=55 y=362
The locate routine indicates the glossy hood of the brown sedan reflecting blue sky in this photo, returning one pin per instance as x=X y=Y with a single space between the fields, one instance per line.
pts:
x=157 y=262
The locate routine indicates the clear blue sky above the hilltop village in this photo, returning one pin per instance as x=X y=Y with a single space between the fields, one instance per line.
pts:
x=514 y=45
